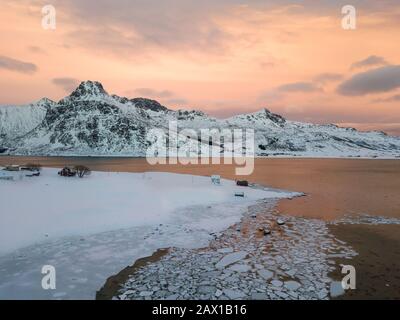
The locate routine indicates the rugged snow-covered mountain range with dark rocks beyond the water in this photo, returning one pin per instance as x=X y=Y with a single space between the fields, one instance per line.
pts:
x=92 y=122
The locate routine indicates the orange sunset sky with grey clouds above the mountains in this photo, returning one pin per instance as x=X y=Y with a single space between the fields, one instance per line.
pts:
x=222 y=56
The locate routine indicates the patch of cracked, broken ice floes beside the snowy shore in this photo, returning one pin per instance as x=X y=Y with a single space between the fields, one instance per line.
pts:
x=272 y=263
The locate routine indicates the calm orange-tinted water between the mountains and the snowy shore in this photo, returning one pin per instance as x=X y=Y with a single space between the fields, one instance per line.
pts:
x=334 y=187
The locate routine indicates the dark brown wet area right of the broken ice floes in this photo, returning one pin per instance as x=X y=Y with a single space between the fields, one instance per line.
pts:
x=378 y=263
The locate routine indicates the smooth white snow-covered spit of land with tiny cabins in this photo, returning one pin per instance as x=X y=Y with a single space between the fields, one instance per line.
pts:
x=91 y=228
